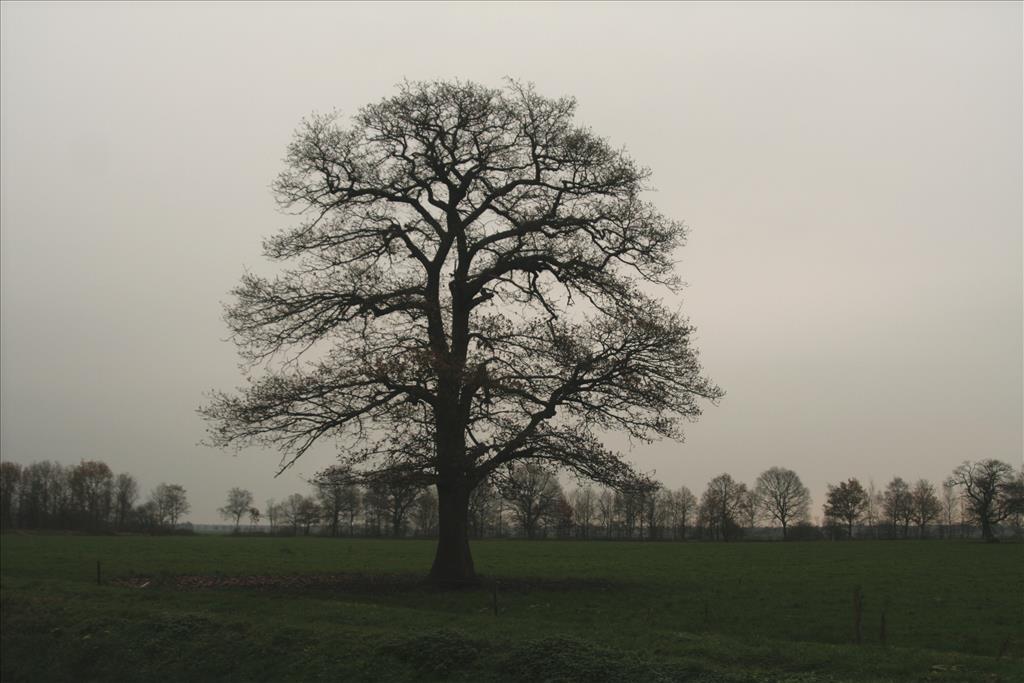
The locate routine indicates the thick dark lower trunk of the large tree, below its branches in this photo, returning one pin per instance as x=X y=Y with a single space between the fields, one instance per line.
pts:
x=453 y=563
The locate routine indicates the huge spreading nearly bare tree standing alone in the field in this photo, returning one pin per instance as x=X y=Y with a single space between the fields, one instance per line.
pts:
x=473 y=264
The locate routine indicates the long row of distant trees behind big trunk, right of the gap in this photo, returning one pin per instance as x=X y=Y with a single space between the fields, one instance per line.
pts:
x=530 y=502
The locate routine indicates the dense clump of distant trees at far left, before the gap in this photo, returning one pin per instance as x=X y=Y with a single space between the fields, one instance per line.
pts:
x=88 y=497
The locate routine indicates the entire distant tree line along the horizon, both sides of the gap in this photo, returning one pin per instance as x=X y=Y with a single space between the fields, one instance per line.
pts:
x=984 y=499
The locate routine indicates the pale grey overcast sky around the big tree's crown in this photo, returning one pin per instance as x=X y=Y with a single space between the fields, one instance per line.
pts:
x=852 y=176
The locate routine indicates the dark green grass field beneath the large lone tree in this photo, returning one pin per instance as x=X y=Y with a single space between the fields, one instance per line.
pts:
x=589 y=612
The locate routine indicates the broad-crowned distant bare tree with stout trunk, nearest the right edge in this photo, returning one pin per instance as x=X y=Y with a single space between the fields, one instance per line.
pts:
x=989 y=492
